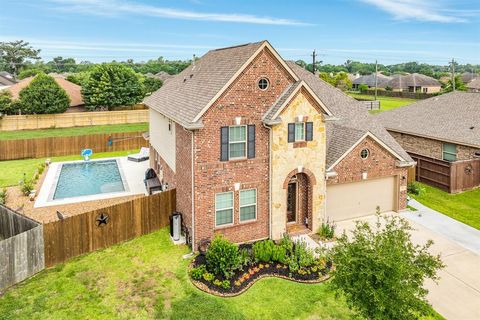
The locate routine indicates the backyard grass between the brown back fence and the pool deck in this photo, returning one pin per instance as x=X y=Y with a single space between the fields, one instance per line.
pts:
x=11 y=172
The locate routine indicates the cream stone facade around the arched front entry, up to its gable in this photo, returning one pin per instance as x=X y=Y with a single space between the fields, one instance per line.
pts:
x=289 y=159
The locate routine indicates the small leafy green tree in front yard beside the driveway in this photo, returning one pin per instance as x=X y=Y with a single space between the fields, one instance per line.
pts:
x=380 y=271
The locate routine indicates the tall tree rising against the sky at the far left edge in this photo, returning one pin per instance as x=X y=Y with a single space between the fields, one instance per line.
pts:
x=14 y=54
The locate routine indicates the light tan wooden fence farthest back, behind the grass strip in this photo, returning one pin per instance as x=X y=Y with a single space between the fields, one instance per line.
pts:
x=73 y=119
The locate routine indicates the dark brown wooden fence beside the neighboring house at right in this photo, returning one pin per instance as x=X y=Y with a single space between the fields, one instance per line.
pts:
x=449 y=176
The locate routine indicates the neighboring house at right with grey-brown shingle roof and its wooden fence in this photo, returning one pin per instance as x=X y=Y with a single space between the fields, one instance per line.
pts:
x=444 y=133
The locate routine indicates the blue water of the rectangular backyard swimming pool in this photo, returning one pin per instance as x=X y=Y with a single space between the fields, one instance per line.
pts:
x=88 y=178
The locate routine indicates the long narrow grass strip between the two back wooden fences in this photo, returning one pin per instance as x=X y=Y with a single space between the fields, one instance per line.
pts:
x=75 y=131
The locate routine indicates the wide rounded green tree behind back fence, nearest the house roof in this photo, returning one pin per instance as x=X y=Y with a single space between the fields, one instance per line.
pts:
x=111 y=85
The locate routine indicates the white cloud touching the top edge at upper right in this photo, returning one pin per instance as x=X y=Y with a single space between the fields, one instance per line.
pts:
x=426 y=10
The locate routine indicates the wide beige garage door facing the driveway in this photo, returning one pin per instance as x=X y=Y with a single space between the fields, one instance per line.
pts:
x=357 y=199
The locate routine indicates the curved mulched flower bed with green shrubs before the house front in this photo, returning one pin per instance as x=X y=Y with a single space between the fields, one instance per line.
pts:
x=226 y=269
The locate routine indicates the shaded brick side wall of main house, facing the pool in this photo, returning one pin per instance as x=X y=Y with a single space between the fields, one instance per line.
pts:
x=182 y=178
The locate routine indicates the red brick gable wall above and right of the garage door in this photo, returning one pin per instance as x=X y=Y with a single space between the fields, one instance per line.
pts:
x=380 y=163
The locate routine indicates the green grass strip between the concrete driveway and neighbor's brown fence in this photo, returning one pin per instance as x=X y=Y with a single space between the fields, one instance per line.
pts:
x=464 y=207
